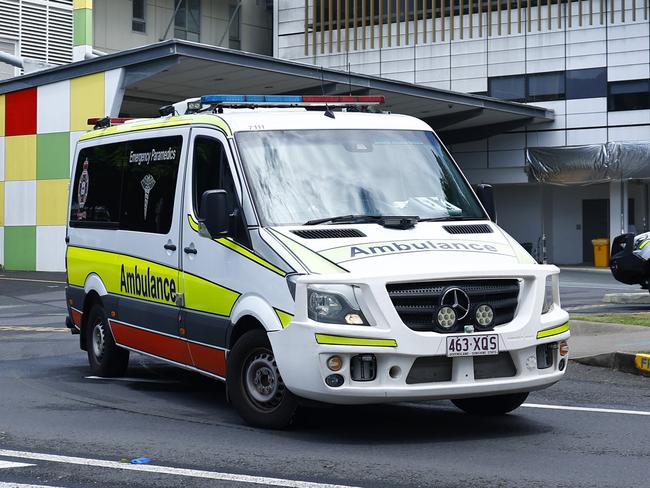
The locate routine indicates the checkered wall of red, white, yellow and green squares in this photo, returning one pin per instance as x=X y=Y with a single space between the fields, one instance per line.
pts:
x=39 y=129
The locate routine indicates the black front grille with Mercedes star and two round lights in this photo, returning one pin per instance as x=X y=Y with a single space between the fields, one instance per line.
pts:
x=418 y=303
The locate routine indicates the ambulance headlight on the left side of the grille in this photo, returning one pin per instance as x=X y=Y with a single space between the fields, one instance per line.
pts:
x=334 y=304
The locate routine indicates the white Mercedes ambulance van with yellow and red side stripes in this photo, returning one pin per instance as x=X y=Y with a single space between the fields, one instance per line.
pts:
x=304 y=253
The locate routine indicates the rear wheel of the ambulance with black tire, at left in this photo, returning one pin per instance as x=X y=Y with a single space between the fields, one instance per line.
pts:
x=105 y=357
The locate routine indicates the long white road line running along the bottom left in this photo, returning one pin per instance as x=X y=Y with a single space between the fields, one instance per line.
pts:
x=149 y=468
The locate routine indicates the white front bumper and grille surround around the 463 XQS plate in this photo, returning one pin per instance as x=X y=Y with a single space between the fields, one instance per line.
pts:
x=397 y=349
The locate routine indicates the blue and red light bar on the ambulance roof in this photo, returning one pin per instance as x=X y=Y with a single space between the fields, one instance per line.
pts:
x=290 y=100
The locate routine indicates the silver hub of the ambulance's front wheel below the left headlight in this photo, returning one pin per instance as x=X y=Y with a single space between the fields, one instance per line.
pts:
x=263 y=382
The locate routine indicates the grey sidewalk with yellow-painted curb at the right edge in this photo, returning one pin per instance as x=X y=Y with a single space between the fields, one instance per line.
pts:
x=610 y=345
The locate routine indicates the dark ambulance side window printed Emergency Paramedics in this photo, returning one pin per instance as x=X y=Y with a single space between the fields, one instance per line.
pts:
x=149 y=184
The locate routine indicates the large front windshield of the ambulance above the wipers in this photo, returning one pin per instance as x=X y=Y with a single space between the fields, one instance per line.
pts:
x=303 y=175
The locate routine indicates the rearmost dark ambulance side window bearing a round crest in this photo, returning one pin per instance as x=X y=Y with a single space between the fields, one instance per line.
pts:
x=97 y=185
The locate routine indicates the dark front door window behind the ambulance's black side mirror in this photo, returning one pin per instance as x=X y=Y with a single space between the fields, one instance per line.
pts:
x=211 y=172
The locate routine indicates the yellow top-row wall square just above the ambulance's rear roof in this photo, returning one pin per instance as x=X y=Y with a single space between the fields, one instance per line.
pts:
x=86 y=100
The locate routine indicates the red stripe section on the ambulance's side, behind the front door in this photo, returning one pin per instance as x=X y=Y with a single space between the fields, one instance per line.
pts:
x=146 y=341
